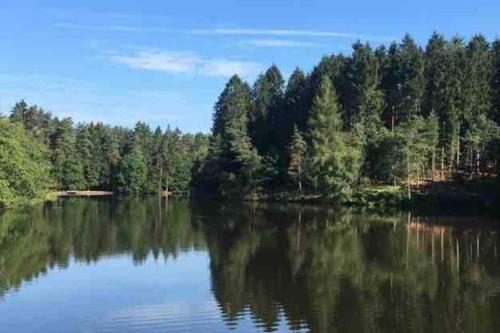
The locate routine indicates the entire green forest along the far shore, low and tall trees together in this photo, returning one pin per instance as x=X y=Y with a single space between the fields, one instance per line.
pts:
x=401 y=115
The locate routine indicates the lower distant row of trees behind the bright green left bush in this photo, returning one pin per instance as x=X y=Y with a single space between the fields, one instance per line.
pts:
x=99 y=157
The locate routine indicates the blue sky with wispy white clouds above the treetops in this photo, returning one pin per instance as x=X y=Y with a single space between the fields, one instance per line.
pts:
x=165 y=62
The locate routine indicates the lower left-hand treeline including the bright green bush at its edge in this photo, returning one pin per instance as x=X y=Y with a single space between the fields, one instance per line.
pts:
x=55 y=154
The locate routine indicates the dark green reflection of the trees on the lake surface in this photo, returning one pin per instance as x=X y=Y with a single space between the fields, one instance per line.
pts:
x=317 y=269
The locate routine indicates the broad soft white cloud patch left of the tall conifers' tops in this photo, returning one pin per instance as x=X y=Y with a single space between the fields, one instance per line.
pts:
x=186 y=63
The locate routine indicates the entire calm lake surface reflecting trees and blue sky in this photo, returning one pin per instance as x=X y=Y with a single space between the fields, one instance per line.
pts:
x=149 y=266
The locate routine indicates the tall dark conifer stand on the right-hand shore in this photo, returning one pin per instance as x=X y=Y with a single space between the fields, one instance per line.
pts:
x=390 y=115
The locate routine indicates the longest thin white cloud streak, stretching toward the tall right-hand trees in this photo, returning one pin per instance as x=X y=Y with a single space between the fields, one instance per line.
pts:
x=290 y=32
